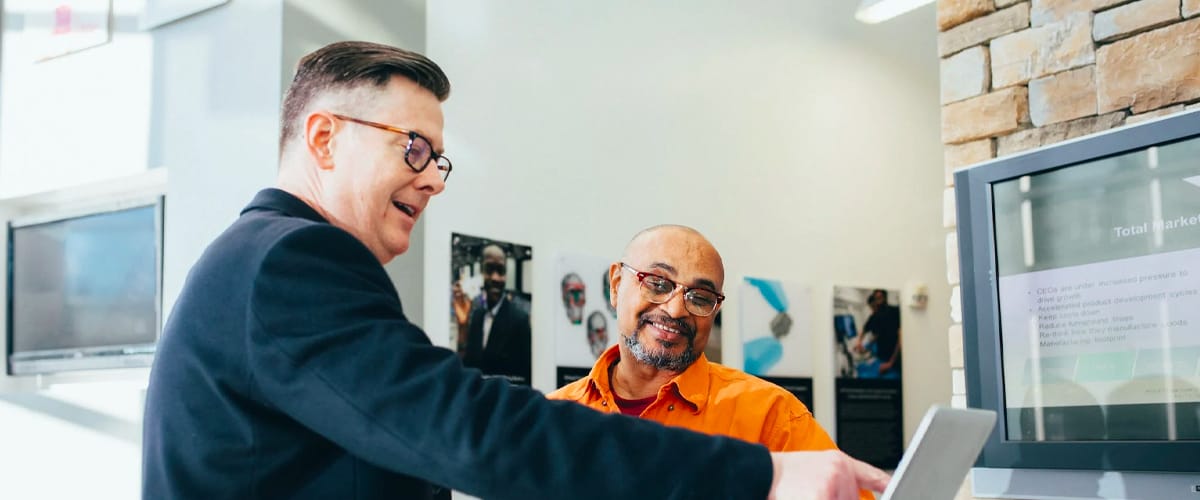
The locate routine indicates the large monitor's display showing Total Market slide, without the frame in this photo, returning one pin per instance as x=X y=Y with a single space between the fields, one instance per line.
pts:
x=1100 y=282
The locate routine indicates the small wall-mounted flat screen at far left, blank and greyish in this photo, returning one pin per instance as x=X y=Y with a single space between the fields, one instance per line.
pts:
x=83 y=291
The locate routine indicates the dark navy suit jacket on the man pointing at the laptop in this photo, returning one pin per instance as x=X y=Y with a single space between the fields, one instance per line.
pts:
x=289 y=371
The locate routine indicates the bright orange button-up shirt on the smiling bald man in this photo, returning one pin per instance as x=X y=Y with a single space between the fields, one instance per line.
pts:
x=715 y=400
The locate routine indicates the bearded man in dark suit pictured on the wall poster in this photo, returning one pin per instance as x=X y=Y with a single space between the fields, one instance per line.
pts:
x=499 y=339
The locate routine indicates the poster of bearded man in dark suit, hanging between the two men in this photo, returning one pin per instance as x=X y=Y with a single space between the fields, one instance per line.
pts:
x=490 y=308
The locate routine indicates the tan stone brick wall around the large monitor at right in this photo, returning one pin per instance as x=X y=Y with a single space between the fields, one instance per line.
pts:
x=1019 y=75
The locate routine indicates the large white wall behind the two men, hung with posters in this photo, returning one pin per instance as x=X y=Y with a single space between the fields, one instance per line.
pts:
x=806 y=146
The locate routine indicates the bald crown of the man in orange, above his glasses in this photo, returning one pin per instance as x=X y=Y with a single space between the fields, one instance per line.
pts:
x=663 y=246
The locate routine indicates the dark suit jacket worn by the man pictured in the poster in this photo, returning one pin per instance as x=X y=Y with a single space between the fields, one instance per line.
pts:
x=508 y=351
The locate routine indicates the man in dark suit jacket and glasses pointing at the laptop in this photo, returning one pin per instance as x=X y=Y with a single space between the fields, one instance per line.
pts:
x=289 y=369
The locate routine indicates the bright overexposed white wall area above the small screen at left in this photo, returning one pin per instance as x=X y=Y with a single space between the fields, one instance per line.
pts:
x=79 y=118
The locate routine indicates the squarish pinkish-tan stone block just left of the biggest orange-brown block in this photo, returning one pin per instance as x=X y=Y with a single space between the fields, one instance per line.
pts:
x=1063 y=97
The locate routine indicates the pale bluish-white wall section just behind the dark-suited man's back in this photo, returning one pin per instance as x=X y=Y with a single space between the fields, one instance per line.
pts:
x=217 y=95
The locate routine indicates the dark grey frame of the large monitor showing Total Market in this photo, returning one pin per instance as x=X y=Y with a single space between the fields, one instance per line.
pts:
x=981 y=306
